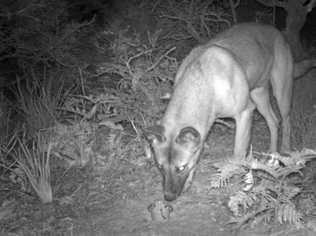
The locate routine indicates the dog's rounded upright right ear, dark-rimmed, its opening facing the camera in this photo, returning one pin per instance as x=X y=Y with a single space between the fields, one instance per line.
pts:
x=189 y=137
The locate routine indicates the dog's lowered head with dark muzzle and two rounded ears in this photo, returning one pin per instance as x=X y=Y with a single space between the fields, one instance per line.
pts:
x=176 y=156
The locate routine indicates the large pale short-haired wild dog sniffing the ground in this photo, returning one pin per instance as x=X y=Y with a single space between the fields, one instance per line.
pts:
x=227 y=77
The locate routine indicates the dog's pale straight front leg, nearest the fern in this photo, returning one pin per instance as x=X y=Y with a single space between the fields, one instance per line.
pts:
x=243 y=129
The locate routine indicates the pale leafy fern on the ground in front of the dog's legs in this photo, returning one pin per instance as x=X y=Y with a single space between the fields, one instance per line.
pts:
x=265 y=187
